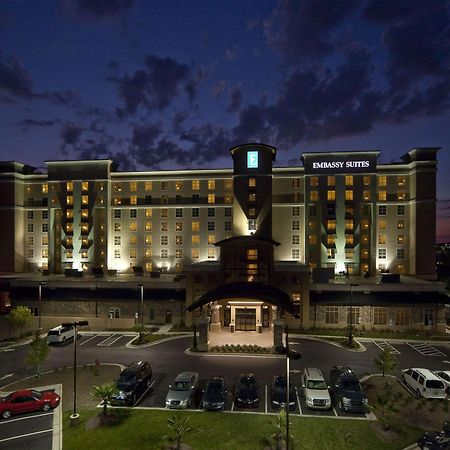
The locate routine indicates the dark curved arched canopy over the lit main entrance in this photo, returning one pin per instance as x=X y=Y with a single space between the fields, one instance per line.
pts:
x=255 y=291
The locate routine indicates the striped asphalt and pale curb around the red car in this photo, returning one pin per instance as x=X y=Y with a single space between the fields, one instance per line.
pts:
x=39 y=430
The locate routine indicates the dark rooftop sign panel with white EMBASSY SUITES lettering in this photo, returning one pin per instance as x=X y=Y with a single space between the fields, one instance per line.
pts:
x=345 y=163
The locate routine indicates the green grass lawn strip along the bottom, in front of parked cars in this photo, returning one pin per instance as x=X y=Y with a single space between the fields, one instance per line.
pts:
x=229 y=431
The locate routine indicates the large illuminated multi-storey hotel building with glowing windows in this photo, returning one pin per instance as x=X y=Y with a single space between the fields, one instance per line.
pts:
x=243 y=246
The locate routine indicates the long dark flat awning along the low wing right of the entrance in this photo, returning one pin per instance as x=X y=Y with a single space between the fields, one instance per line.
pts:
x=335 y=298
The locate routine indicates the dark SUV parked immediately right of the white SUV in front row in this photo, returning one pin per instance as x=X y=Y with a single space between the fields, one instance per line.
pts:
x=346 y=390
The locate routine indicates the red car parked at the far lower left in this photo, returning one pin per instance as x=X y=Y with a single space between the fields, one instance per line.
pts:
x=28 y=400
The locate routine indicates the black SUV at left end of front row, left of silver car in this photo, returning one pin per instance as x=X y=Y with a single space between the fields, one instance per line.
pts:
x=133 y=381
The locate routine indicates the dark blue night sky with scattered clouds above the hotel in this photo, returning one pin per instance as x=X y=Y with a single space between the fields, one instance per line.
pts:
x=175 y=84
